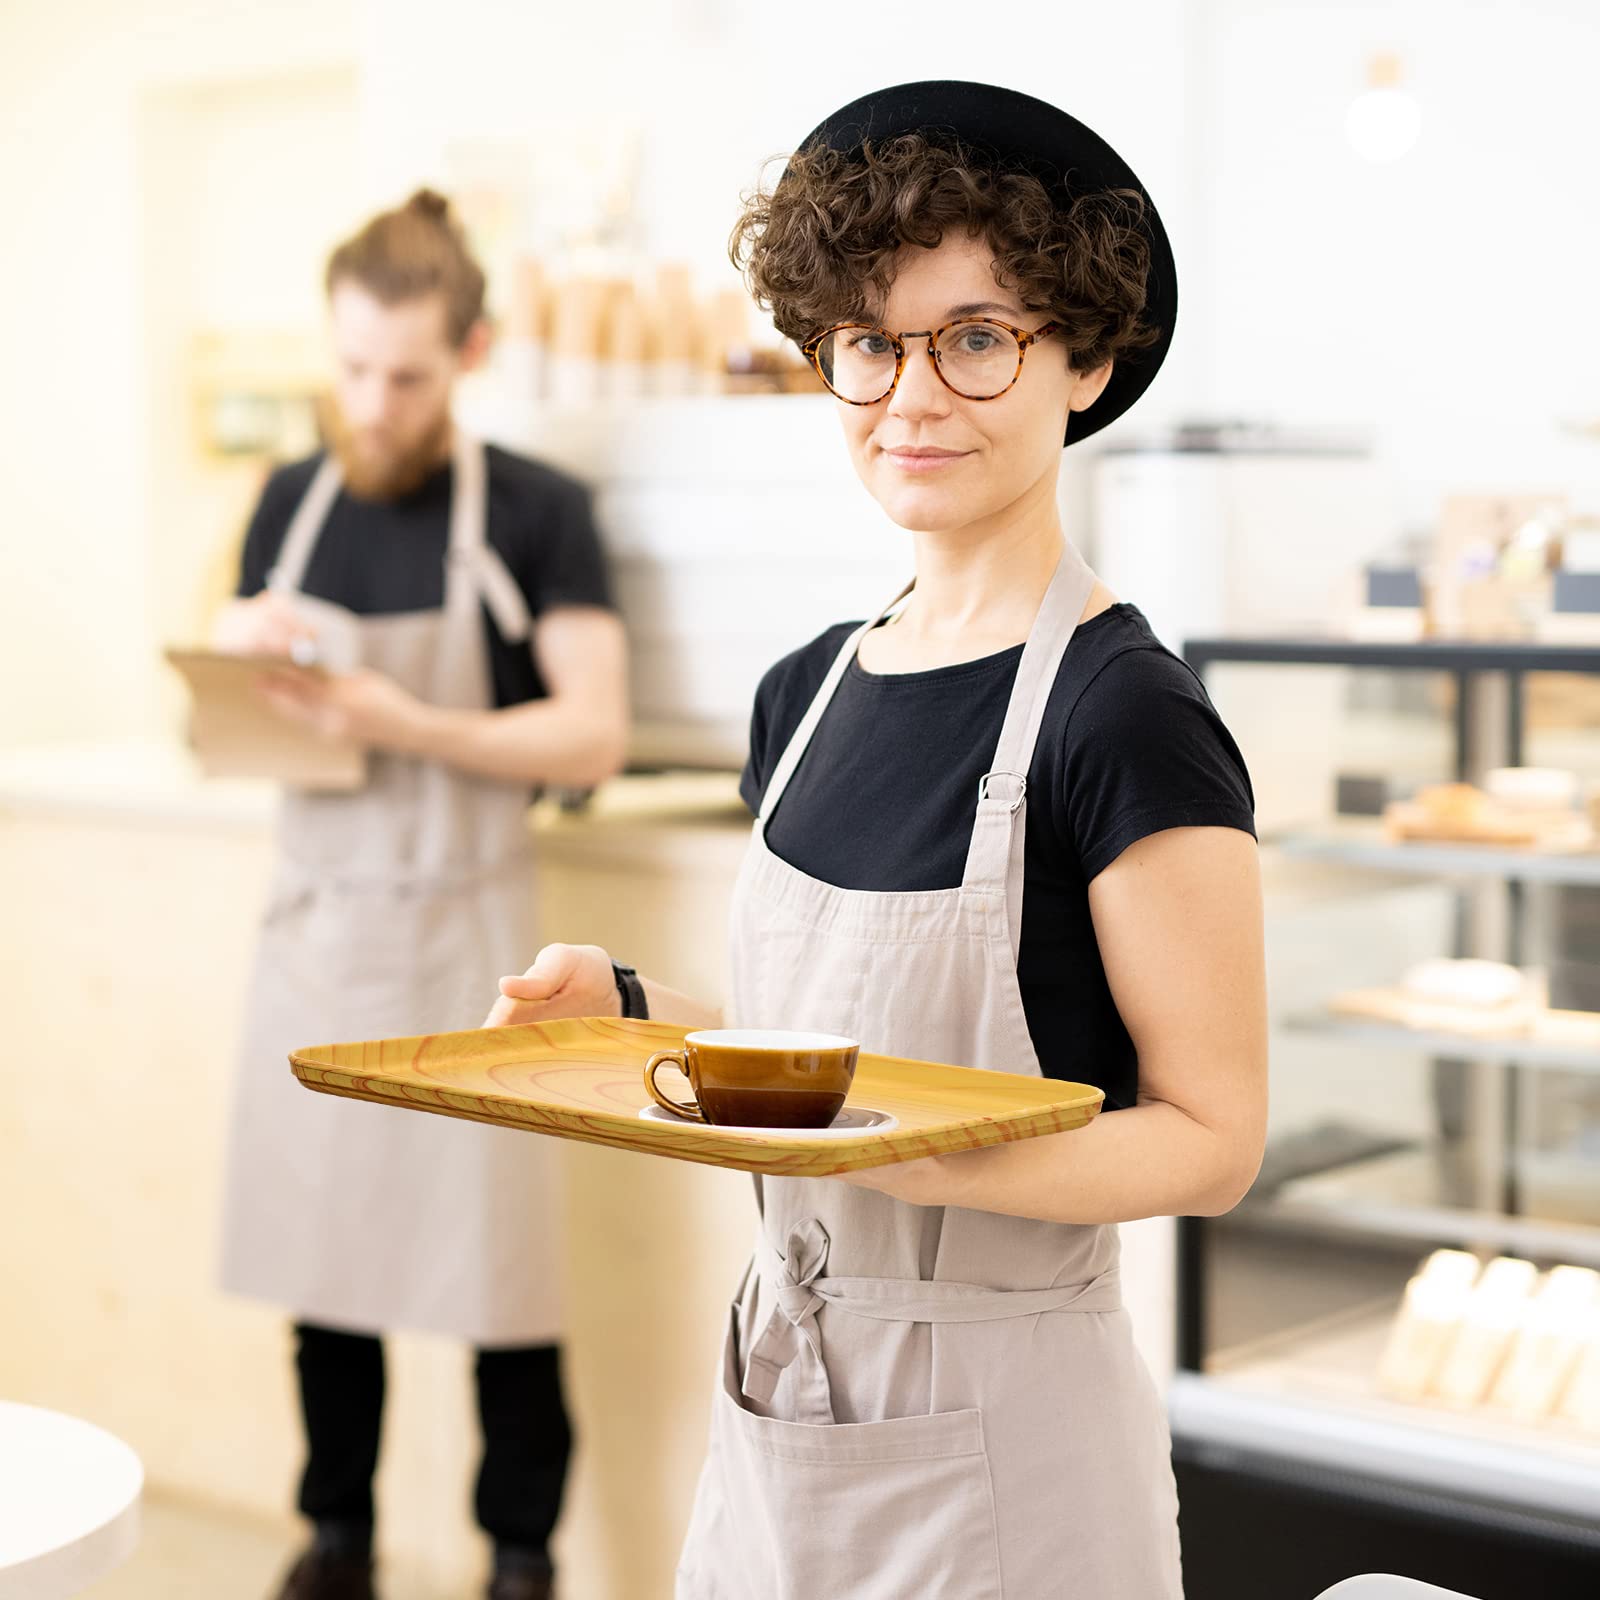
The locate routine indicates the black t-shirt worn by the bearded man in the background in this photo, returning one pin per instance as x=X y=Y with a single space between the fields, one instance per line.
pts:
x=378 y=559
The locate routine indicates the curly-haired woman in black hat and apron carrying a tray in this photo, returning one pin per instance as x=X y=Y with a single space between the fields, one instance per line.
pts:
x=1007 y=831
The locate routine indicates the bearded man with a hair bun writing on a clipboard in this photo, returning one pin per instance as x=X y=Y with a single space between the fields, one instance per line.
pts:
x=458 y=598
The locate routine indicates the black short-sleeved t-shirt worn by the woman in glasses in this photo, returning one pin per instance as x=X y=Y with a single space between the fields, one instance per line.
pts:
x=1130 y=746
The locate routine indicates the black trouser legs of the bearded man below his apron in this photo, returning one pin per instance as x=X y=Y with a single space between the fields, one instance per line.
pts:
x=527 y=1438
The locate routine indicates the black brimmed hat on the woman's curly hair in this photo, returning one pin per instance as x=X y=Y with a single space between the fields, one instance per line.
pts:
x=1022 y=134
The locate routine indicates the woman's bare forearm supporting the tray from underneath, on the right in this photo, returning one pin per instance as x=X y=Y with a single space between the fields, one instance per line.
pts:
x=1150 y=1161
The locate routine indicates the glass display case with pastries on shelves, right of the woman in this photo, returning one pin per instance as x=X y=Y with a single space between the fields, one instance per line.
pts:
x=1390 y=1353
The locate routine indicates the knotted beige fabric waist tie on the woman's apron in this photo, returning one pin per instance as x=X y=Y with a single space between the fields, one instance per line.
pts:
x=801 y=1292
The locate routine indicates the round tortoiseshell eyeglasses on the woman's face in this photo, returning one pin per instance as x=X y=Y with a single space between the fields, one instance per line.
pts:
x=978 y=358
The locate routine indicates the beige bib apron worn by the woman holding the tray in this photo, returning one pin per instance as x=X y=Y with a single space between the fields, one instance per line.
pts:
x=919 y=1402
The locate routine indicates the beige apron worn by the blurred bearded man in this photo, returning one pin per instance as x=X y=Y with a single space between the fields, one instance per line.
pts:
x=391 y=913
